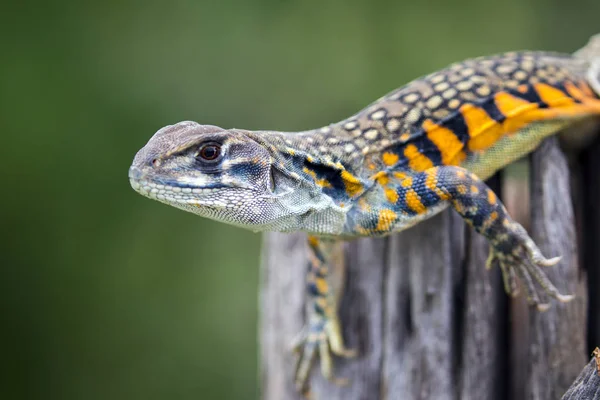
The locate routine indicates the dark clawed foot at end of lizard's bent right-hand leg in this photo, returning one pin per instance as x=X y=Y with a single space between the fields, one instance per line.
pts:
x=524 y=260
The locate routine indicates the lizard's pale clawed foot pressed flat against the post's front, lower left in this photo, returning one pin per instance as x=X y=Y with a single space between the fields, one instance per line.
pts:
x=322 y=336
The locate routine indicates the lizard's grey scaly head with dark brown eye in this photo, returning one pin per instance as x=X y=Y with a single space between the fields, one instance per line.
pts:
x=220 y=174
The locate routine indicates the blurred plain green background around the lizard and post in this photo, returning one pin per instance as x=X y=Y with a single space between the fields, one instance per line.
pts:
x=108 y=295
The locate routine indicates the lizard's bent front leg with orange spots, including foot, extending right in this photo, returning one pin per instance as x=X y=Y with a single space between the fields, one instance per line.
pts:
x=401 y=198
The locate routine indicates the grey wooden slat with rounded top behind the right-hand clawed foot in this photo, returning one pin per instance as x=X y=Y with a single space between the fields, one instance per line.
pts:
x=558 y=336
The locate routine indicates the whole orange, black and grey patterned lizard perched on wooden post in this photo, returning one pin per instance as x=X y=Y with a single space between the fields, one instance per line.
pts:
x=424 y=147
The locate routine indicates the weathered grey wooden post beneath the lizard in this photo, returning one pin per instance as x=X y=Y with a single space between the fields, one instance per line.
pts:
x=429 y=321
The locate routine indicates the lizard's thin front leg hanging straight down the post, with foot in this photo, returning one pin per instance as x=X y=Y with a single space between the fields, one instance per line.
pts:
x=322 y=333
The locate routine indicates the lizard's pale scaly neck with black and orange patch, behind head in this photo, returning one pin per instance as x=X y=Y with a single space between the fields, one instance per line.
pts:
x=316 y=178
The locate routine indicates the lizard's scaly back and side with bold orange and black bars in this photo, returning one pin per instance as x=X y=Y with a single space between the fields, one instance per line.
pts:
x=464 y=114
